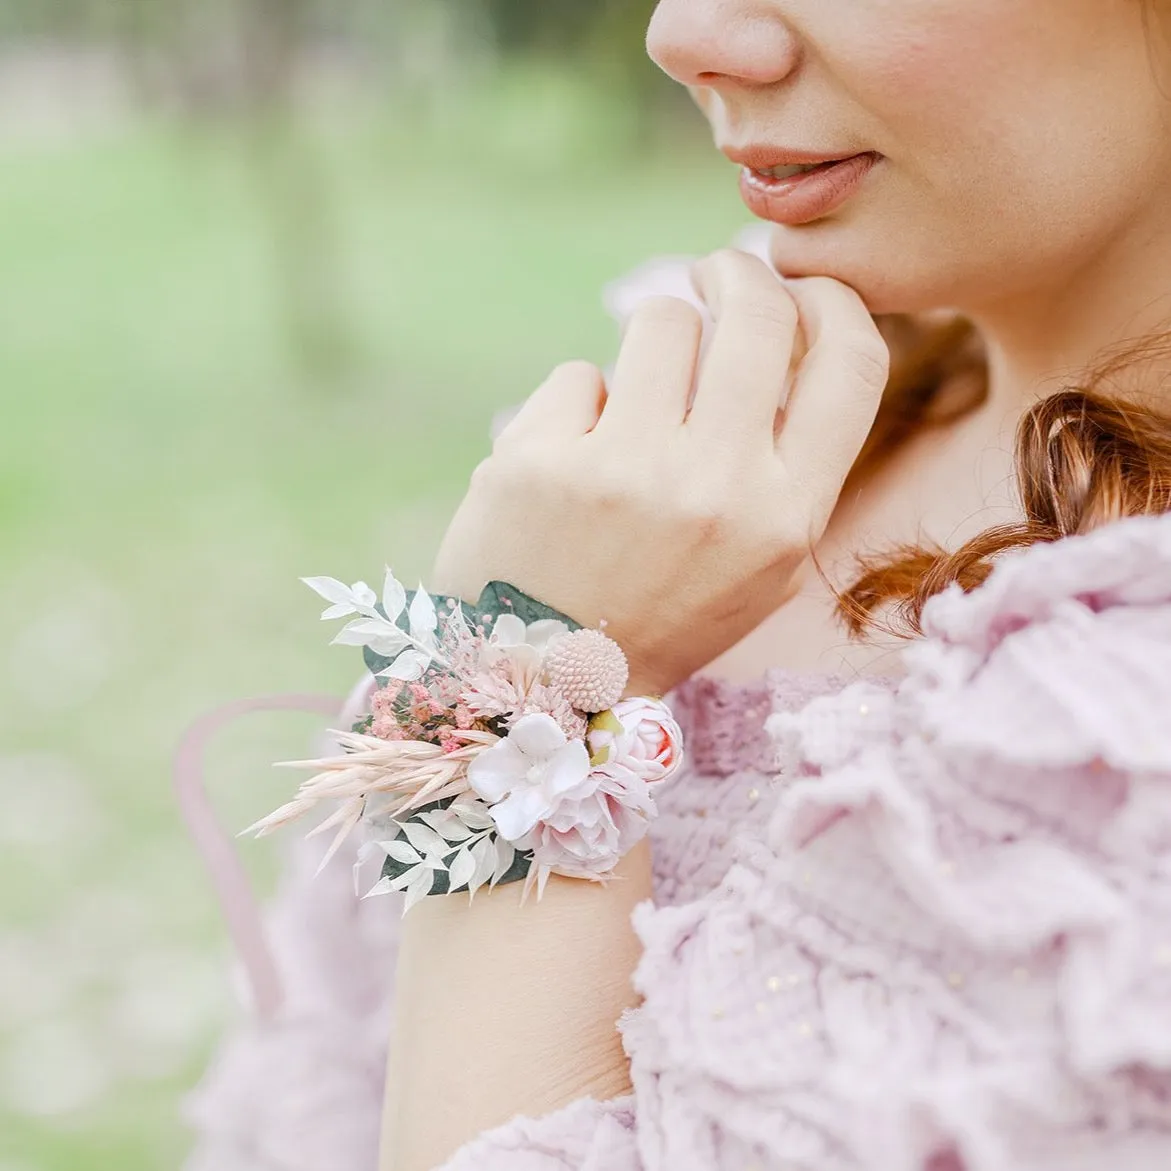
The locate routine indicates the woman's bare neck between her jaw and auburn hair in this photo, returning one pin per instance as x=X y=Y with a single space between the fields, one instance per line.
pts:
x=1045 y=338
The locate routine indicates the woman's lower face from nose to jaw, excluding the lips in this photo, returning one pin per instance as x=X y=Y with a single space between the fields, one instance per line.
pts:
x=1019 y=139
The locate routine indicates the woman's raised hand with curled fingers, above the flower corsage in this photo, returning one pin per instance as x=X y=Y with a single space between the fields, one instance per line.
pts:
x=681 y=530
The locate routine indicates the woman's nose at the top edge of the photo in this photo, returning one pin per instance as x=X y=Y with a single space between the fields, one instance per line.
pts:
x=721 y=44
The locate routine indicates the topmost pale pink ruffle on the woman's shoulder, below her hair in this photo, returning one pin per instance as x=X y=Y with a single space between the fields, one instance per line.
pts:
x=1064 y=658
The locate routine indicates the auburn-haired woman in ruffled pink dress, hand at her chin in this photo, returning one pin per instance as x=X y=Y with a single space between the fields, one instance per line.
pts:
x=903 y=912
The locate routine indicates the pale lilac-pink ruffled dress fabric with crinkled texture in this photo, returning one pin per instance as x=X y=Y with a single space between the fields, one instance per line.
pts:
x=949 y=944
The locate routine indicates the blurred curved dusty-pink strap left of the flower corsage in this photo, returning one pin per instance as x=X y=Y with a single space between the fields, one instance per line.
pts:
x=217 y=847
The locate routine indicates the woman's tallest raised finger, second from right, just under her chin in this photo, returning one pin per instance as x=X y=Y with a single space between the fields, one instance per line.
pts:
x=745 y=371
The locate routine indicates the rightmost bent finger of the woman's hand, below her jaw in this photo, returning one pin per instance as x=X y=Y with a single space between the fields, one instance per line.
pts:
x=838 y=388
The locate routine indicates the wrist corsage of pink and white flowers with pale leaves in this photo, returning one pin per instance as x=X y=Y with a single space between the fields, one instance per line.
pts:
x=498 y=748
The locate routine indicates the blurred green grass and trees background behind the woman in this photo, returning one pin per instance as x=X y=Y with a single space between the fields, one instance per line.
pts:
x=268 y=270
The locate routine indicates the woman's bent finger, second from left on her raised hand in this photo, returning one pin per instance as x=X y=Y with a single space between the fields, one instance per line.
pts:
x=656 y=367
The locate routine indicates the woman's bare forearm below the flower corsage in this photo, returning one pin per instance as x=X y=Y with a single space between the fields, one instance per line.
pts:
x=505 y=1010
